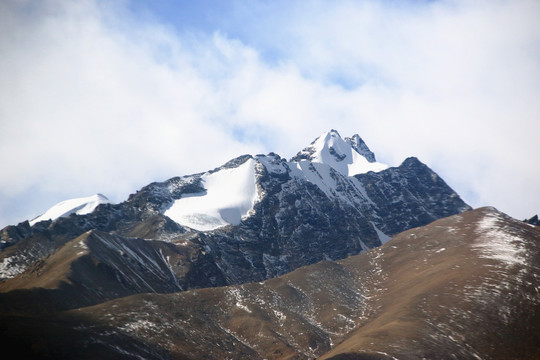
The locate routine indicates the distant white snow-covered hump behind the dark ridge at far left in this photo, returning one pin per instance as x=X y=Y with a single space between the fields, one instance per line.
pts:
x=79 y=206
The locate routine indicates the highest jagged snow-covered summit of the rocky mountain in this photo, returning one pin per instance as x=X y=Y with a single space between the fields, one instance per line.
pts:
x=349 y=156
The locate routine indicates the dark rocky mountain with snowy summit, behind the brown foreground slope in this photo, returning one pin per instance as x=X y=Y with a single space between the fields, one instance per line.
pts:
x=252 y=219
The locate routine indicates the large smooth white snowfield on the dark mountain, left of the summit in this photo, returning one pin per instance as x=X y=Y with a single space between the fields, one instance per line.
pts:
x=230 y=196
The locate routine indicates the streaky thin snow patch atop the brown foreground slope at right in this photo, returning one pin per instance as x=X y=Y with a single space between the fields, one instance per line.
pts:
x=495 y=243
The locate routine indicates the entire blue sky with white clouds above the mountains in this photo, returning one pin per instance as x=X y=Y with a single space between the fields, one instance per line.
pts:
x=107 y=96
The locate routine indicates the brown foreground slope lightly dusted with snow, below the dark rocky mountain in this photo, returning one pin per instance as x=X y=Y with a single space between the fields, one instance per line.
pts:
x=462 y=287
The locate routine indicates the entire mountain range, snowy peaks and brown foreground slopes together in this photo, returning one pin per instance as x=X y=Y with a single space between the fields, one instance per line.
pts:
x=265 y=257
